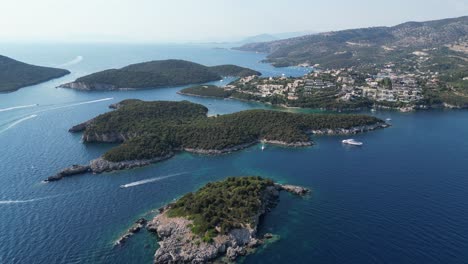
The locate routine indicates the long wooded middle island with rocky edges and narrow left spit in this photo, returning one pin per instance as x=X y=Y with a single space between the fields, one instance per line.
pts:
x=154 y=131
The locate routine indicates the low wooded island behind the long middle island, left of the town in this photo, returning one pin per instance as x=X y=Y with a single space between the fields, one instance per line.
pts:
x=156 y=74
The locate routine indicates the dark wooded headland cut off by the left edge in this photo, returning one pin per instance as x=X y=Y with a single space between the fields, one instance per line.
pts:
x=15 y=74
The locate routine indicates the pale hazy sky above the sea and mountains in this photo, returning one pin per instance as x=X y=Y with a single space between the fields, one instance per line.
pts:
x=204 y=20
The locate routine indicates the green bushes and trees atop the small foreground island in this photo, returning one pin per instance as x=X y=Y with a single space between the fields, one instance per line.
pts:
x=223 y=205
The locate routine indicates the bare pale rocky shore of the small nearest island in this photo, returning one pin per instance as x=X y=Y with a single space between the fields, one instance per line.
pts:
x=178 y=244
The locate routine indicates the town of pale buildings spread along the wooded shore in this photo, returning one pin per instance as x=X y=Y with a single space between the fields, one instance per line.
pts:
x=388 y=86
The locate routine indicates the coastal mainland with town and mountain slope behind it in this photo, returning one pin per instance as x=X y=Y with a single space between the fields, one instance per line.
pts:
x=414 y=65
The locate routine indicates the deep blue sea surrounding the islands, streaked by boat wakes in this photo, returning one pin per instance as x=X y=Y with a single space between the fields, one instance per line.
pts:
x=401 y=198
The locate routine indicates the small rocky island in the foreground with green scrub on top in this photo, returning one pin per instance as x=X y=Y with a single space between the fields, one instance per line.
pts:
x=219 y=222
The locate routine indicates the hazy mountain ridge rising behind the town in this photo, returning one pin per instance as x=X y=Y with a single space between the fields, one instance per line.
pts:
x=366 y=45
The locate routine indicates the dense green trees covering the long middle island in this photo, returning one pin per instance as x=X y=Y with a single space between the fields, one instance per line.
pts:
x=154 y=129
